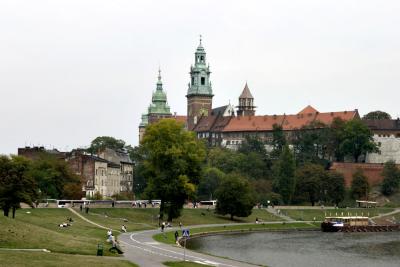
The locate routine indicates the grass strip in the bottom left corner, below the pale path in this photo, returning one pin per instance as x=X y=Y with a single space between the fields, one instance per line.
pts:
x=43 y=259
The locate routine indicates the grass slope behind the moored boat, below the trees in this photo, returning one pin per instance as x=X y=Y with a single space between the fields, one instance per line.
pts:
x=319 y=215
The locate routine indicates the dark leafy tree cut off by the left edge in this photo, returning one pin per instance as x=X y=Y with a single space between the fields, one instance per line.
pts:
x=16 y=185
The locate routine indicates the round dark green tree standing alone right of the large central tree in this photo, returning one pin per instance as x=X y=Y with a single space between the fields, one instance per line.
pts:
x=235 y=197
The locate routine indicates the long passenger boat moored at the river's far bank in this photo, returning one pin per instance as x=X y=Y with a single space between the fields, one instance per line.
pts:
x=354 y=224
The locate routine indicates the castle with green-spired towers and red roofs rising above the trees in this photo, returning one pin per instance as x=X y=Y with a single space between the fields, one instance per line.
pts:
x=227 y=125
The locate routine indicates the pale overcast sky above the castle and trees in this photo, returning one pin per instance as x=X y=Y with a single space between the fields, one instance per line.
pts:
x=76 y=69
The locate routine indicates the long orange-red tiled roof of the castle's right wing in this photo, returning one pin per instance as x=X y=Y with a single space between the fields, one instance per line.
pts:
x=288 y=122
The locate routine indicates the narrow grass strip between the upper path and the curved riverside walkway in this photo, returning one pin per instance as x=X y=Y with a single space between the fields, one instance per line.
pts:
x=169 y=238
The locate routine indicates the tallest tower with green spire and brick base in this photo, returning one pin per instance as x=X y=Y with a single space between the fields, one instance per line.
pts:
x=199 y=94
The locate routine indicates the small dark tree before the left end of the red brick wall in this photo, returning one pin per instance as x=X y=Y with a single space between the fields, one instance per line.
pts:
x=333 y=188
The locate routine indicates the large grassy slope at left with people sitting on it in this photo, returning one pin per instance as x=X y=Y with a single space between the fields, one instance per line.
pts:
x=39 y=229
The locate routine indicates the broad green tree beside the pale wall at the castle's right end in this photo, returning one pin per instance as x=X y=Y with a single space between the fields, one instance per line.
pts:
x=357 y=140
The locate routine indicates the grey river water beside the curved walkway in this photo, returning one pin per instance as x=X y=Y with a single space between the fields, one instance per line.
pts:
x=305 y=249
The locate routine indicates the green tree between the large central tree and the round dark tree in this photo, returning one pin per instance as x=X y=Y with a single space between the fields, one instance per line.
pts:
x=209 y=183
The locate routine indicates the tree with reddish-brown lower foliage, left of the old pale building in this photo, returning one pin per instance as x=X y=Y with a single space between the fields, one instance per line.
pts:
x=55 y=179
